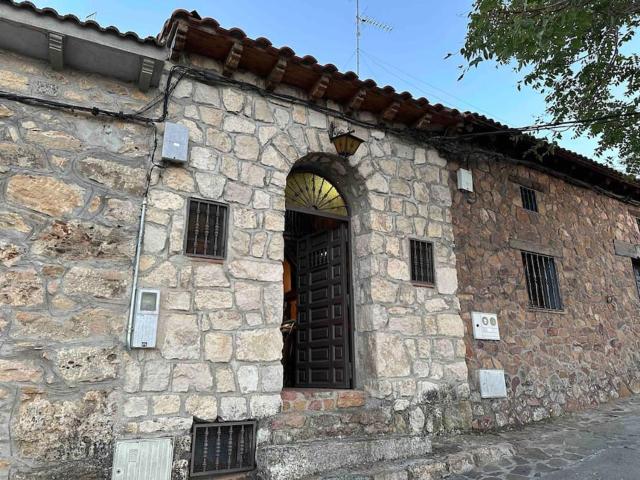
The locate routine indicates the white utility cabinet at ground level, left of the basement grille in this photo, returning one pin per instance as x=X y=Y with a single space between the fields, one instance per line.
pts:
x=143 y=459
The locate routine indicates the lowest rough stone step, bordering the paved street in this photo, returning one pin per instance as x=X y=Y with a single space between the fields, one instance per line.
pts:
x=454 y=456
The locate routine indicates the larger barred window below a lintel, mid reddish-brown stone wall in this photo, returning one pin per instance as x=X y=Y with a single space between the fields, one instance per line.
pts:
x=542 y=281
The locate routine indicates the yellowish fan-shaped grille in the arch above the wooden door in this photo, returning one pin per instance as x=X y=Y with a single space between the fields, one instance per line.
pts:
x=312 y=193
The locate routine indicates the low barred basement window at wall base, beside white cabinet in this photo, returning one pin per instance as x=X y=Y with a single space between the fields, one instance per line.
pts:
x=222 y=447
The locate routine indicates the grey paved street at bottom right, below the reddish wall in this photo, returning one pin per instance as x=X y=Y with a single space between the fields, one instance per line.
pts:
x=603 y=444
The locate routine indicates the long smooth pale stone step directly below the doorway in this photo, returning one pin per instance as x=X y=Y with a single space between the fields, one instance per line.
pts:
x=306 y=459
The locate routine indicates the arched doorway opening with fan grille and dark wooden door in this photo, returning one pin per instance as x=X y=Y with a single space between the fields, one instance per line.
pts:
x=317 y=323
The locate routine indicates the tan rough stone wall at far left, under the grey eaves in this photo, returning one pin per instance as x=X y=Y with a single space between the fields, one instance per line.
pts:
x=70 y=192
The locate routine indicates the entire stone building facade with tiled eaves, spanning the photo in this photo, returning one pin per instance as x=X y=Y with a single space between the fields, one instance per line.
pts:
x=76 y=174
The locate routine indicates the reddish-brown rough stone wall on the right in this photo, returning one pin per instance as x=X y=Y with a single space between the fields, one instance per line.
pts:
x=554 y=362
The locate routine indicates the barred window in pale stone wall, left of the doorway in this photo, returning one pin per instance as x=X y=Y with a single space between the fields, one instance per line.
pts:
x=206 y=229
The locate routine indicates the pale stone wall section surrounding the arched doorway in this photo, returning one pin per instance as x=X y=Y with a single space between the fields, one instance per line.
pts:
x=243 y=146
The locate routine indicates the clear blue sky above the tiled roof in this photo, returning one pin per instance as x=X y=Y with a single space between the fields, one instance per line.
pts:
x=410 y=57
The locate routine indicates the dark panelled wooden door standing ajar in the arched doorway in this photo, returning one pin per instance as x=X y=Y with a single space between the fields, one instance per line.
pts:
x=322 y=353
